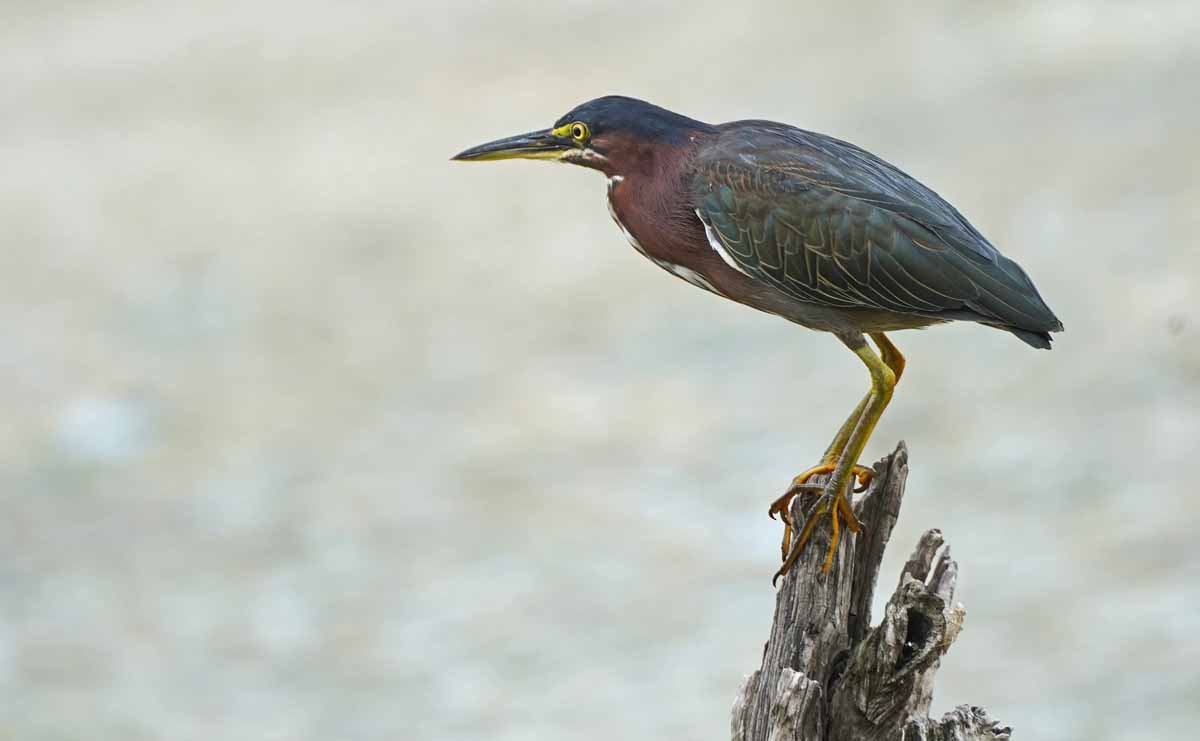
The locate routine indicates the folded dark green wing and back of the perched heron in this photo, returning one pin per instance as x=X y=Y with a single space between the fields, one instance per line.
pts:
x=832 y=225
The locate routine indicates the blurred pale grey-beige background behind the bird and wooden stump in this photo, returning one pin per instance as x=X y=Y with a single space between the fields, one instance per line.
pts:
x=309 y=433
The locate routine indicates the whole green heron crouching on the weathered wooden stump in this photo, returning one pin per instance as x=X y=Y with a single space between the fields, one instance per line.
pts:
x=805 y=227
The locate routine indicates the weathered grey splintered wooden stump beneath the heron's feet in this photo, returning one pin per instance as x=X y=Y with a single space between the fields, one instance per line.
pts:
x=827 y=674
